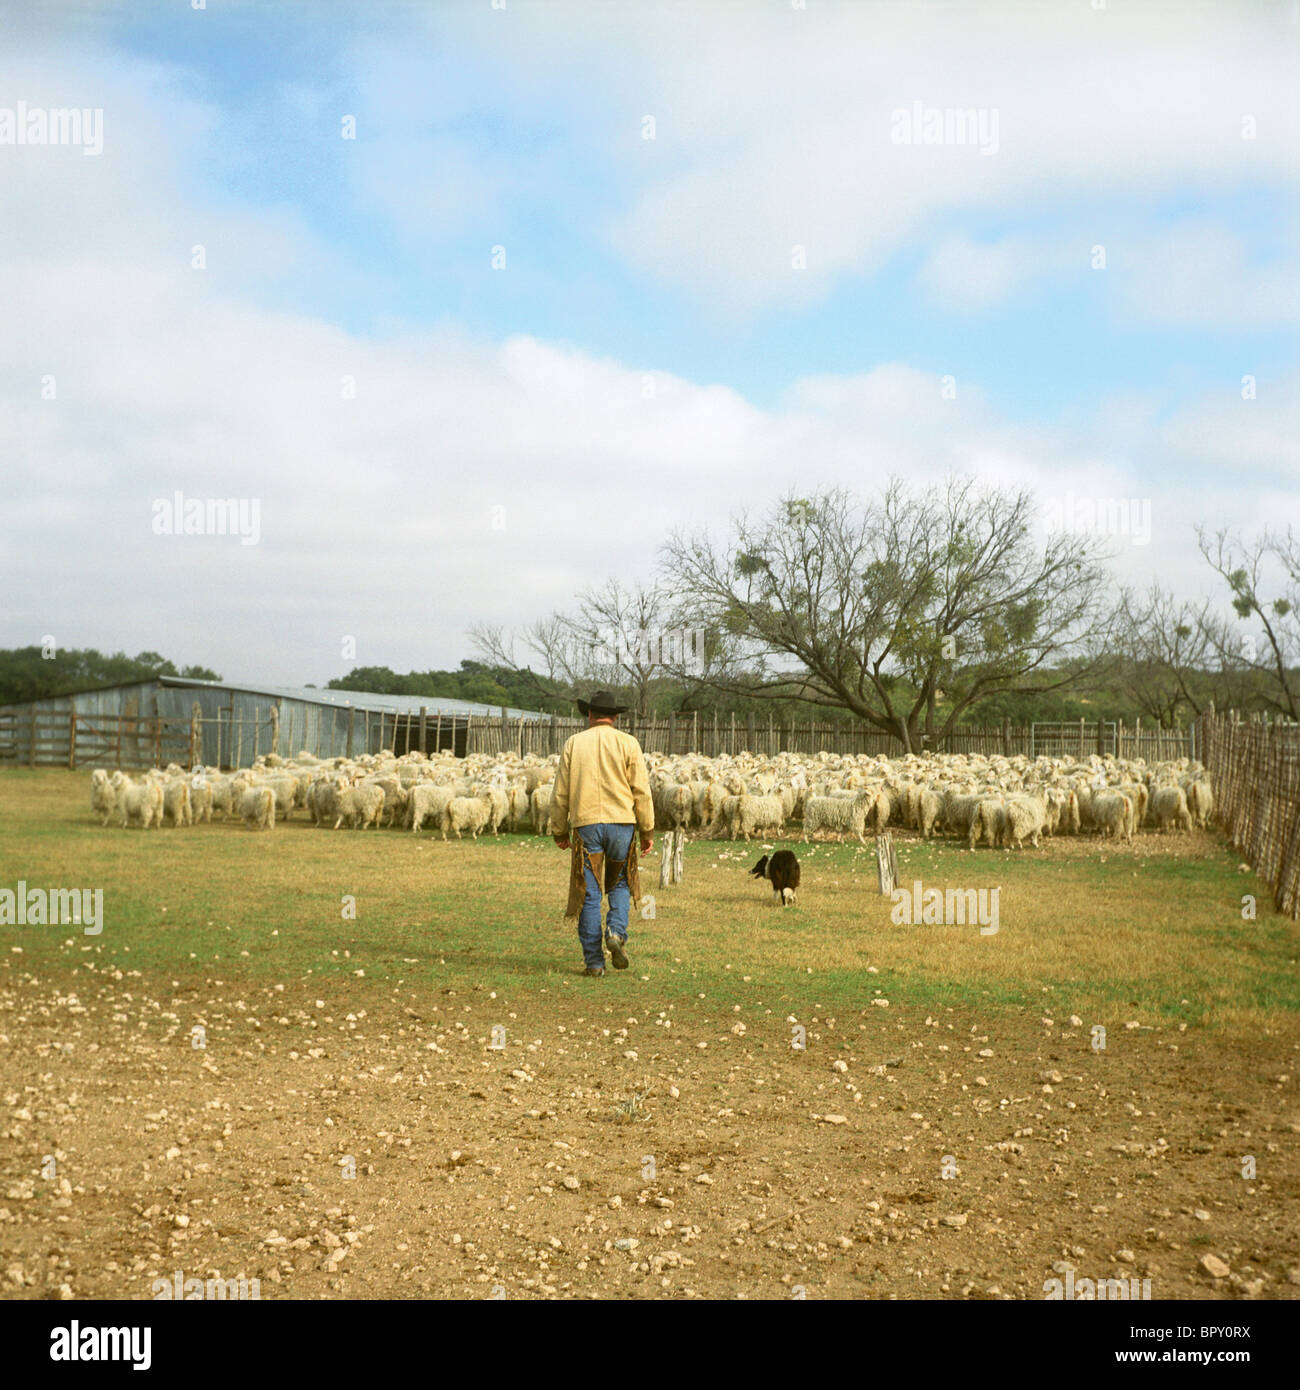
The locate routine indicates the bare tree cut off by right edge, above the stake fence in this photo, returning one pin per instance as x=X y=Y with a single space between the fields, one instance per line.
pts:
x=1245 y=568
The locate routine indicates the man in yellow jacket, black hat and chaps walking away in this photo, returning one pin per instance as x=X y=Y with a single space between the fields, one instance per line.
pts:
x=603 y=792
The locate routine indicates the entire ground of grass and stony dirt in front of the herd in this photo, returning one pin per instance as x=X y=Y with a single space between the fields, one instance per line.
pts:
x=332 y=1036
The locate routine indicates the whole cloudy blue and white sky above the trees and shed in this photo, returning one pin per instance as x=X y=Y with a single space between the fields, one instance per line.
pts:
x=480 y=302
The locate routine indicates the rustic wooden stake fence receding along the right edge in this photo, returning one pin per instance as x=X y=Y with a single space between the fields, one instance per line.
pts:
x=1255 y=769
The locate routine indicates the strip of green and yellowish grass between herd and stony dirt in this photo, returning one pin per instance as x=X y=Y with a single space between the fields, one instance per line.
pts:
x=1114 y=933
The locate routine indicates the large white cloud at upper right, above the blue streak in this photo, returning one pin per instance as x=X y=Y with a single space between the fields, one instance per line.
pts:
x=779 y=136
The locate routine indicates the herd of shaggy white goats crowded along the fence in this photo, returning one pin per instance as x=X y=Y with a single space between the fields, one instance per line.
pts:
x=996 y=801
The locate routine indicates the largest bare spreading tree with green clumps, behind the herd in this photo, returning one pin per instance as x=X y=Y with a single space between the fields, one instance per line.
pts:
x=892 y=608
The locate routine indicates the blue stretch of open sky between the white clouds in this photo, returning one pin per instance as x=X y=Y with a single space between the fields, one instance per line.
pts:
x=558 y=193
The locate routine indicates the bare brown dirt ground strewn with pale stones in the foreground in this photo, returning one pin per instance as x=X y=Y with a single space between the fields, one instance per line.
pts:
x=750 y=1170
